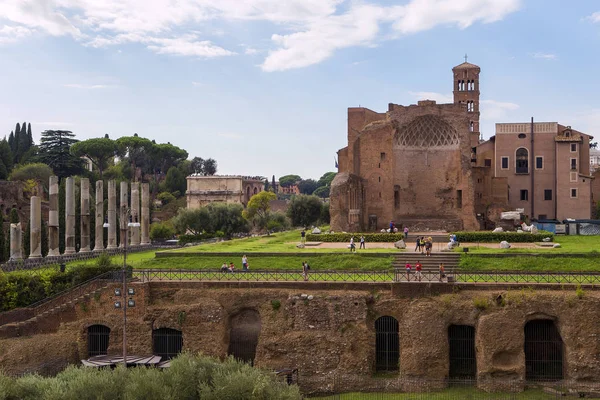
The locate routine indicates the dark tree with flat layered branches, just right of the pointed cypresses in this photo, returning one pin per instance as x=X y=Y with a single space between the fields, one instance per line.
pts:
x=54 y=150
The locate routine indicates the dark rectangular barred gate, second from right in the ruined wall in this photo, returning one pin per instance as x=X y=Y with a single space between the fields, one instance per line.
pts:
x=461 y=343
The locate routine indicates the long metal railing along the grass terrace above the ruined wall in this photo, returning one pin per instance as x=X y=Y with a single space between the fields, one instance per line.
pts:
x=390 y=275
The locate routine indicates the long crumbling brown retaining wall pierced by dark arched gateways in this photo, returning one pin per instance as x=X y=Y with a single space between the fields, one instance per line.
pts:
x=329 y=336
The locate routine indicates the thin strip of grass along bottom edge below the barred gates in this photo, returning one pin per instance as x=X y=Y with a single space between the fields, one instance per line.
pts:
x=448 y=394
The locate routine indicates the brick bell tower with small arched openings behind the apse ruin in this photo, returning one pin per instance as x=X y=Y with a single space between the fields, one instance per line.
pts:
x=466 y=91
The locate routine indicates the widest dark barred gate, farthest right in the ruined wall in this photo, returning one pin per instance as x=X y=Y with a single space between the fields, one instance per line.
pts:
x=543 y=351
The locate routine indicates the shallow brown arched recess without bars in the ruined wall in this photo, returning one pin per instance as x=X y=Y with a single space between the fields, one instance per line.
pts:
x=244 y=333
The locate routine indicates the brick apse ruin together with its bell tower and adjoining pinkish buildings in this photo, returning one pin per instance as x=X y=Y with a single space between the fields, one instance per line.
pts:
x=424 y=166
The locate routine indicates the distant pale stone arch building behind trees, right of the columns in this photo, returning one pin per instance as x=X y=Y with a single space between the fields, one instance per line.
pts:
x=202 y=190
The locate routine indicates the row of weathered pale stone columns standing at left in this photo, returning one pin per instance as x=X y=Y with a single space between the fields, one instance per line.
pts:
x=139 y=234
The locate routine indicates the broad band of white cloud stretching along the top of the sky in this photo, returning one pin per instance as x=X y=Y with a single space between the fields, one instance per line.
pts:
x=317 y=28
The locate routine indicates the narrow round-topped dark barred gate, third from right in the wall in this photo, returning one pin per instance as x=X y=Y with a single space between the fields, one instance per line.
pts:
x=387 y=344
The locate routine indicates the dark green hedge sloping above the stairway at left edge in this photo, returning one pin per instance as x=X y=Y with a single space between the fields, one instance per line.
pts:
x=22 y=288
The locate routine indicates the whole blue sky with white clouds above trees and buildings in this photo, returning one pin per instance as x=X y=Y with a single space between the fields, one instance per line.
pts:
x=263 y=86
